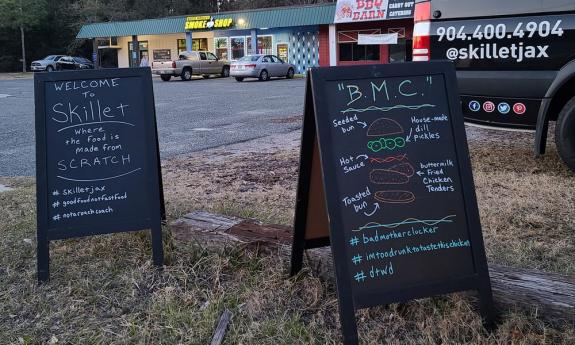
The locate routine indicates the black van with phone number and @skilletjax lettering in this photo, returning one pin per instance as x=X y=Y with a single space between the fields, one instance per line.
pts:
x=515 y=62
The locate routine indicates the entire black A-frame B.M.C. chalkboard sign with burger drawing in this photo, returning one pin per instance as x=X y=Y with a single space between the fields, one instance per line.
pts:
x=385 y=178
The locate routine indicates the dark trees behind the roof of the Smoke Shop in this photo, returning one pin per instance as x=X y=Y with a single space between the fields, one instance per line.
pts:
x=32 y=29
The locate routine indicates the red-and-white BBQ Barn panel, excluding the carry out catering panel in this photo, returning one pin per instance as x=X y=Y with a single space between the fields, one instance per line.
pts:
x=351 y=11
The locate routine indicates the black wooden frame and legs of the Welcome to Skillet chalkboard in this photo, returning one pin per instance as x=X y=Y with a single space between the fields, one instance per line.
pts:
x=153 y=168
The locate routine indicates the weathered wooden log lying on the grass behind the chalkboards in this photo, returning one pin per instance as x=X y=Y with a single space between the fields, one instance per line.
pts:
x=548 y=296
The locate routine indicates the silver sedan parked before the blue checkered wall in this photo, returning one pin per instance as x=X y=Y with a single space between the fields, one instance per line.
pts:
x=262 y=67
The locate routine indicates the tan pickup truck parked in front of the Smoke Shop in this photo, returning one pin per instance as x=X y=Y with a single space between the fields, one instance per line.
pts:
x=191 y=63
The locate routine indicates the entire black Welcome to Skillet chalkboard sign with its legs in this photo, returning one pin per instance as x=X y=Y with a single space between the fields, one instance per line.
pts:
x=96 y=156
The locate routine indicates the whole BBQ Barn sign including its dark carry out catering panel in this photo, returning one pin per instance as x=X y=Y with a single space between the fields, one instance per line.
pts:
x=350 y=11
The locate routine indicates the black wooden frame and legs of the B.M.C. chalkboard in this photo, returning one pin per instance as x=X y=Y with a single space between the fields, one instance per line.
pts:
x=316 y=105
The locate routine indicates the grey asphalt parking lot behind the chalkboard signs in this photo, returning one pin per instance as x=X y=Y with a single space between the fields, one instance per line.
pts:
x=192 y=116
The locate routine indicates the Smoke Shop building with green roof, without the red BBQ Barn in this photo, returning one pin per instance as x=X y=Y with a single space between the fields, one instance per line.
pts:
x=292 y=33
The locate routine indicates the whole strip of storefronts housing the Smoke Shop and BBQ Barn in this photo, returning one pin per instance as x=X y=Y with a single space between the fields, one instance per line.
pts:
x=348 y=32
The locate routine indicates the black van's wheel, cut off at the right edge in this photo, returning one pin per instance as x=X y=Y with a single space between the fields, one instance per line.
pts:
x=565 y=134
